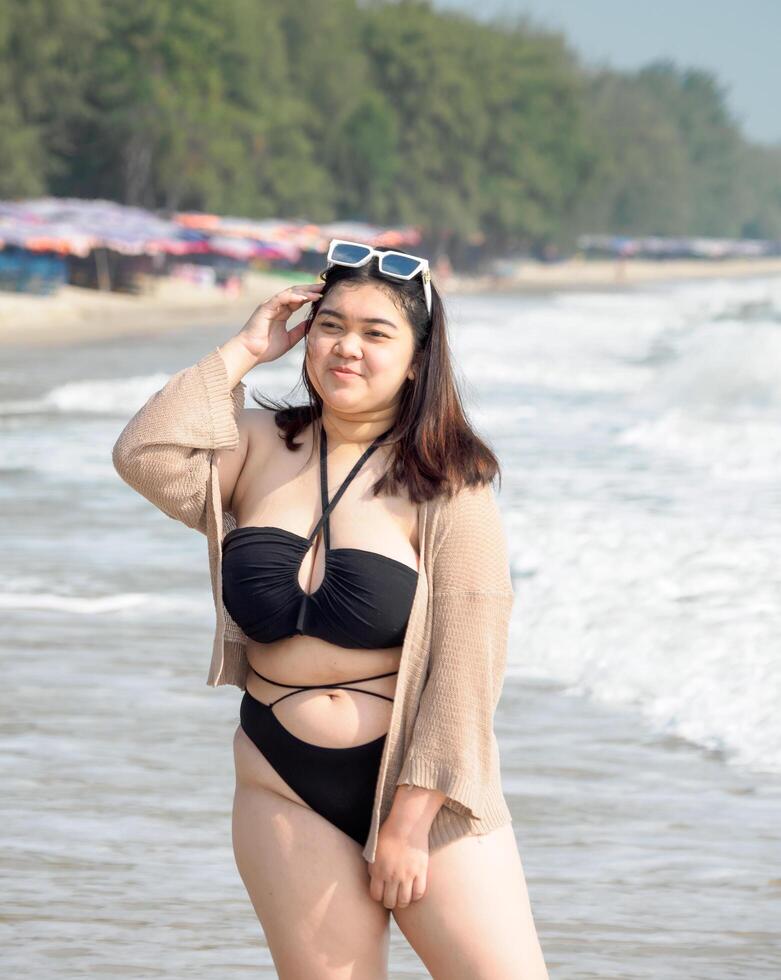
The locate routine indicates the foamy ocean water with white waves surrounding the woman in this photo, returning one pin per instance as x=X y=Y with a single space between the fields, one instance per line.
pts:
x=638 y=433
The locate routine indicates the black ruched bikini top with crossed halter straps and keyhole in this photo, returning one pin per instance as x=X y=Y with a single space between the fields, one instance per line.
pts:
x=364 y=600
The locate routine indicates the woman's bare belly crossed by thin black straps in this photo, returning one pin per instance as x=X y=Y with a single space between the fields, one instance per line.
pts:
x=333 y=717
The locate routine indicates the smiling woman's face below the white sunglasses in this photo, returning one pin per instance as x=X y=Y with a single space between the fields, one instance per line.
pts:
x=379 y=353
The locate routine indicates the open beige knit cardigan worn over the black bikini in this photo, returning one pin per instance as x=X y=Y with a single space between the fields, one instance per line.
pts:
x=453 y=657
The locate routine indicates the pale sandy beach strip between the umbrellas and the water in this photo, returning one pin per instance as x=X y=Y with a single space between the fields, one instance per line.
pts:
x=75 y=314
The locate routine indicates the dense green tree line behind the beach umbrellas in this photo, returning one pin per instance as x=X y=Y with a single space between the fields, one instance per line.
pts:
x=489 y=135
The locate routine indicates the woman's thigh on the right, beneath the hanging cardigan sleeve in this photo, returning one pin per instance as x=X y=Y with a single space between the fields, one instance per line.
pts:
x=474 y=921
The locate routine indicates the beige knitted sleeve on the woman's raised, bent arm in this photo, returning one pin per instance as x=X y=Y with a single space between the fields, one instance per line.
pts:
x=164 y=452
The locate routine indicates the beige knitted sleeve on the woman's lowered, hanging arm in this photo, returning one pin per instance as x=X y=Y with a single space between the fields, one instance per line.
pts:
x=453 y=743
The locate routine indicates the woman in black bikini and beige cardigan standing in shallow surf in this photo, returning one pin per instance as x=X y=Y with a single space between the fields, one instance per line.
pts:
x=363 y=596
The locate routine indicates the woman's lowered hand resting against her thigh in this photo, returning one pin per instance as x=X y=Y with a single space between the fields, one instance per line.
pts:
x=400 y=867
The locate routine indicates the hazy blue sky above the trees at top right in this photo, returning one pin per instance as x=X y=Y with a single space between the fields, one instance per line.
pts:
x=740 y=42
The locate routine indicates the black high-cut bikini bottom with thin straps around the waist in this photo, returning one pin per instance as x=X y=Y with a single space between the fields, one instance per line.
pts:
x=338 y=783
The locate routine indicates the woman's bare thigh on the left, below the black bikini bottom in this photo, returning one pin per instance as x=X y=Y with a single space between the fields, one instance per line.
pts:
x=308 y=883
